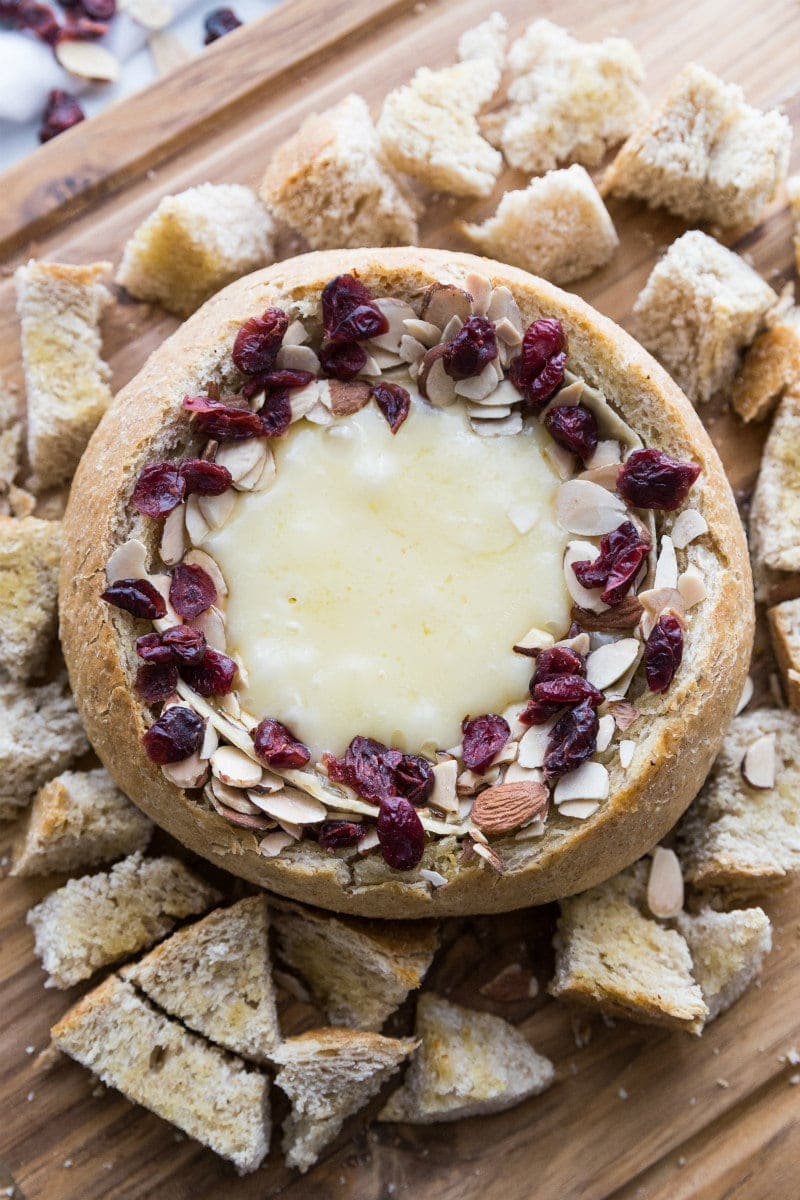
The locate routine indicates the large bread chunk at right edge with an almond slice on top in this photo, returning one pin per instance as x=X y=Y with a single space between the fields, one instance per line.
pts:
x=739 y=838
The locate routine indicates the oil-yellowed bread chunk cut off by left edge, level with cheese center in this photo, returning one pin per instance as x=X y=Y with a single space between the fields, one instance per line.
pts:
x=31 y=551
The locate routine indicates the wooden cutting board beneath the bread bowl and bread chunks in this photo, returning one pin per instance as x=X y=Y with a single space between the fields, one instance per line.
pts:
x=635 y=1113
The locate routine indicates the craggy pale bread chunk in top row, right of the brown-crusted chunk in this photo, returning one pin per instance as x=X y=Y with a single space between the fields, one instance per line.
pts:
x=429 y=128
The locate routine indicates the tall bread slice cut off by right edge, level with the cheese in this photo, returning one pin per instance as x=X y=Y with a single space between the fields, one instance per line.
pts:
x=775 y=509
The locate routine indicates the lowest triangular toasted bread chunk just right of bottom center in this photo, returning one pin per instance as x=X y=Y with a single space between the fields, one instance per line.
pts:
x=468 y=1064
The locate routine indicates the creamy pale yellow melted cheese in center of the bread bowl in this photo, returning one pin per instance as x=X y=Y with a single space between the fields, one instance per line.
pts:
x=378 y=587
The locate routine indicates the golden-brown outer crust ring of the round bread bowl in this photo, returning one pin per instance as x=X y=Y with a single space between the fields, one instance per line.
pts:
x=681 y=731
